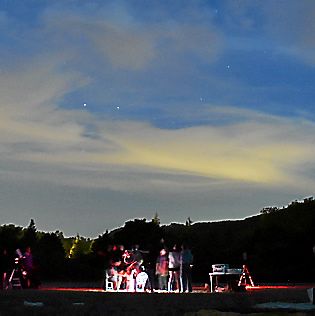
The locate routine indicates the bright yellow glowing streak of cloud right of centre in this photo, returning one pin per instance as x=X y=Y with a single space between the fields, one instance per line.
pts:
x=208 y=152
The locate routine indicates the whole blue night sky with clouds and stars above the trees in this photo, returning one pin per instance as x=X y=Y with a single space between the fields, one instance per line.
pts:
x=115 y=110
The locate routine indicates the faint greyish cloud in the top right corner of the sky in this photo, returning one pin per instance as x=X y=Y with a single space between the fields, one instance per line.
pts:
x=285 y=25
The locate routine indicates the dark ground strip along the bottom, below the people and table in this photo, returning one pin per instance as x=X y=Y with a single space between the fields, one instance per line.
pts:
x=75 y=302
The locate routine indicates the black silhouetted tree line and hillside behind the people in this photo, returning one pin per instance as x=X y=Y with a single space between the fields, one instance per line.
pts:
x=277 y=245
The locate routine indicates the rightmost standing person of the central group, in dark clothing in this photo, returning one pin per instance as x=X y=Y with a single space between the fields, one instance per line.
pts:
x=186 y=260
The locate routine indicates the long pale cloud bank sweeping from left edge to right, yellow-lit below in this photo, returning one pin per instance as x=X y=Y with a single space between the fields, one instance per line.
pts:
x=251 y=147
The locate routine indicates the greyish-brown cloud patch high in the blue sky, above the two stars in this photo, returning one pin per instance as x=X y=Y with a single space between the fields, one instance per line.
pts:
x=129 y=42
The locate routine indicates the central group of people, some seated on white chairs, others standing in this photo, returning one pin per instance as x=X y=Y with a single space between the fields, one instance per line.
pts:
x=128 y=270
